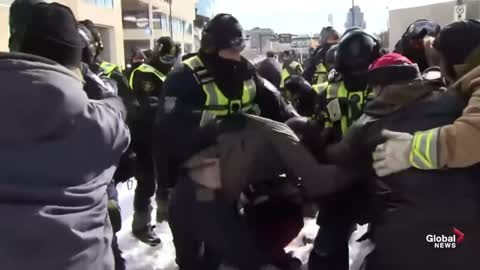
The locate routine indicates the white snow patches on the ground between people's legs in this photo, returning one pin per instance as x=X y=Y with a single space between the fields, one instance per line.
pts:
x=140 y=256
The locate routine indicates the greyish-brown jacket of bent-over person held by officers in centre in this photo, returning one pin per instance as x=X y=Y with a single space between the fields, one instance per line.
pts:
x=262 y=150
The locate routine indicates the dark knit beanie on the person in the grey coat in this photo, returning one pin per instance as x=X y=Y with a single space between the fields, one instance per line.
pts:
x=52 y=33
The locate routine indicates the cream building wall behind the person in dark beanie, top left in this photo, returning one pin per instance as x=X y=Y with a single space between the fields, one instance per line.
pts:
x=106 y=14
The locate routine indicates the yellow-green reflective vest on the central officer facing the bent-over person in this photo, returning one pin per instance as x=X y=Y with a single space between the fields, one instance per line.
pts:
x=216 y=104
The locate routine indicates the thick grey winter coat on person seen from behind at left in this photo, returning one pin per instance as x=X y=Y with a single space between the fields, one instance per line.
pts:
x=59 y=152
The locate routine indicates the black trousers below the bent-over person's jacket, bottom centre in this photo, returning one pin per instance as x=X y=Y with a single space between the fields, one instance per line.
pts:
x=207 y=231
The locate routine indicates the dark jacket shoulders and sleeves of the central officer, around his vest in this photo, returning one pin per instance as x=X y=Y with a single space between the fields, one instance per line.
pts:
x=177 y=131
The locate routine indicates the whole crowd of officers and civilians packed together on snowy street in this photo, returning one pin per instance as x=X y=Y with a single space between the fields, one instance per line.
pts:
x=234 y=153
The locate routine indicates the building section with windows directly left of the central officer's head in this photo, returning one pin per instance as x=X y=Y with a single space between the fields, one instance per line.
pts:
x=136 y=30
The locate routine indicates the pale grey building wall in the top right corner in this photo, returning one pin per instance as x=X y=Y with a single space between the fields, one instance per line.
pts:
x=442 y=13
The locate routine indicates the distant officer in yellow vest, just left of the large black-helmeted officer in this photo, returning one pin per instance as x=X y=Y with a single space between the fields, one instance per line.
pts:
x=316 y=72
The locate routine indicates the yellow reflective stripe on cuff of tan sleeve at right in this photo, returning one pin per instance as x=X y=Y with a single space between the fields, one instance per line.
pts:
x=424 y=152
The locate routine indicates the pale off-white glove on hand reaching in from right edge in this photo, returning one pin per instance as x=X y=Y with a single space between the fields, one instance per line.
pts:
x=393 y=155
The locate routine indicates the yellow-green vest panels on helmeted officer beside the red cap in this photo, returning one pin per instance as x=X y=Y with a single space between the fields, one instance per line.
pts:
x=340 y=92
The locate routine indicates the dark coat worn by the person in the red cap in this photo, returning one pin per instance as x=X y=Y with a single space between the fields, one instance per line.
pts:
x=405 y=208
